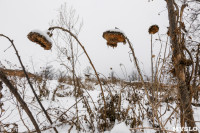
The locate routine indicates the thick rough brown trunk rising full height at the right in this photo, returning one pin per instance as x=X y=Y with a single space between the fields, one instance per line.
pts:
x=185 y=105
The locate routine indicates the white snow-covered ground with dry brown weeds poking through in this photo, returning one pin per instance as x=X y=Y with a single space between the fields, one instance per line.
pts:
x=132 y=111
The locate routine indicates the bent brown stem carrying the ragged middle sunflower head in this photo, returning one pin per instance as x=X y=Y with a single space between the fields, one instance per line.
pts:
x=141 y=77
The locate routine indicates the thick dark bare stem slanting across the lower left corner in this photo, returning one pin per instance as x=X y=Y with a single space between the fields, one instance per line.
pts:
x=13 y=90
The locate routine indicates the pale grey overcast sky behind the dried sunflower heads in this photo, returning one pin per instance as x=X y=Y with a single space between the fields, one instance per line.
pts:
x=133 y=17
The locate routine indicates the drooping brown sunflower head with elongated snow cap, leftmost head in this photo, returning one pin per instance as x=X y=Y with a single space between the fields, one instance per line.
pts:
x=41 y=39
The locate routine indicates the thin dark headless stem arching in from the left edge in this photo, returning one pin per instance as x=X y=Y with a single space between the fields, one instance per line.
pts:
x=43 y=109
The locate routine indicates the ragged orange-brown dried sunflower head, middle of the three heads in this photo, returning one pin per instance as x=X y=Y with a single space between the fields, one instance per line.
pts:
x=113 y=37
